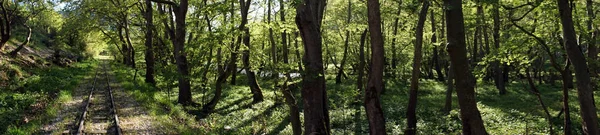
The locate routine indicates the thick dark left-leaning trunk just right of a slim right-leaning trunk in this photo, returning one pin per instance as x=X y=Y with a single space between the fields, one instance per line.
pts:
x=465 y=83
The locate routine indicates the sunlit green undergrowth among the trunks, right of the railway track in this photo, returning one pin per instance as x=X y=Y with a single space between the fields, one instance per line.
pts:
x=518 y=112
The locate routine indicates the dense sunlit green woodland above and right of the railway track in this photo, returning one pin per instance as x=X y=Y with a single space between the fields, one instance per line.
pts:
x=335 y=66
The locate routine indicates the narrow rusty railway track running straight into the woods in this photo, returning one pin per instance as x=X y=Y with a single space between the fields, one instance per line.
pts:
x=99 y=115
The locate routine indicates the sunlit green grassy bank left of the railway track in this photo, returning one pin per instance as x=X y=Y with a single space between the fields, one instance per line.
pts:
x=36 y=100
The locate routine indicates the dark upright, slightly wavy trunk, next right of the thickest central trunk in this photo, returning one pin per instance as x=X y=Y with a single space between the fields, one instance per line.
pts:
x=375 y=82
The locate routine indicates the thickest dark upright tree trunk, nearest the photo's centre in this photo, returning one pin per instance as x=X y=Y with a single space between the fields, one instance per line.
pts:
x=309 y=15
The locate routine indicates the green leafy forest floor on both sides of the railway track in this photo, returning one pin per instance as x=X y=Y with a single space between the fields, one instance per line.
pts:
x=52 y=99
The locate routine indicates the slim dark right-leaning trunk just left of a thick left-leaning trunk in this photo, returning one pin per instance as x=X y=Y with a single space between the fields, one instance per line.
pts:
x=411 y=114
